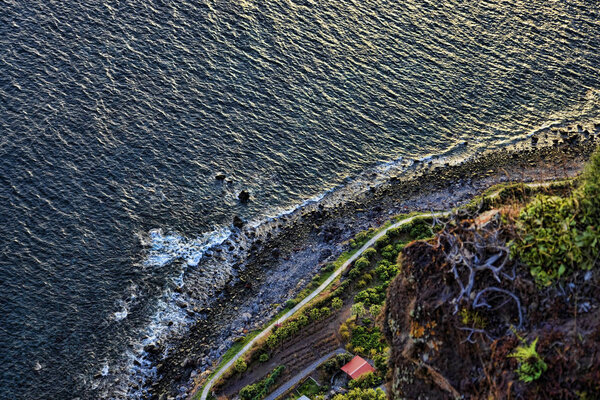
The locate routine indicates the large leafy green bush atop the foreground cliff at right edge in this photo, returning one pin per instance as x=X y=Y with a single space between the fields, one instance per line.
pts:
x=558 y=235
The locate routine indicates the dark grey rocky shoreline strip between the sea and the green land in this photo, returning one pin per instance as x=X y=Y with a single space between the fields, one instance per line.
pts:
x=282 y=255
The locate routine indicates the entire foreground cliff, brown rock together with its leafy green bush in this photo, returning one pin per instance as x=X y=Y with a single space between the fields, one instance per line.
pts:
x=502 y=302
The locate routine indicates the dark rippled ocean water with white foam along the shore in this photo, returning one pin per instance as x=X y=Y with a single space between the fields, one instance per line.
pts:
x=116 y=116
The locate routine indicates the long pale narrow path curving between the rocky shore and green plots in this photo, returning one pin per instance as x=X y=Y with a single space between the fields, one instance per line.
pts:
x=311 y=296
